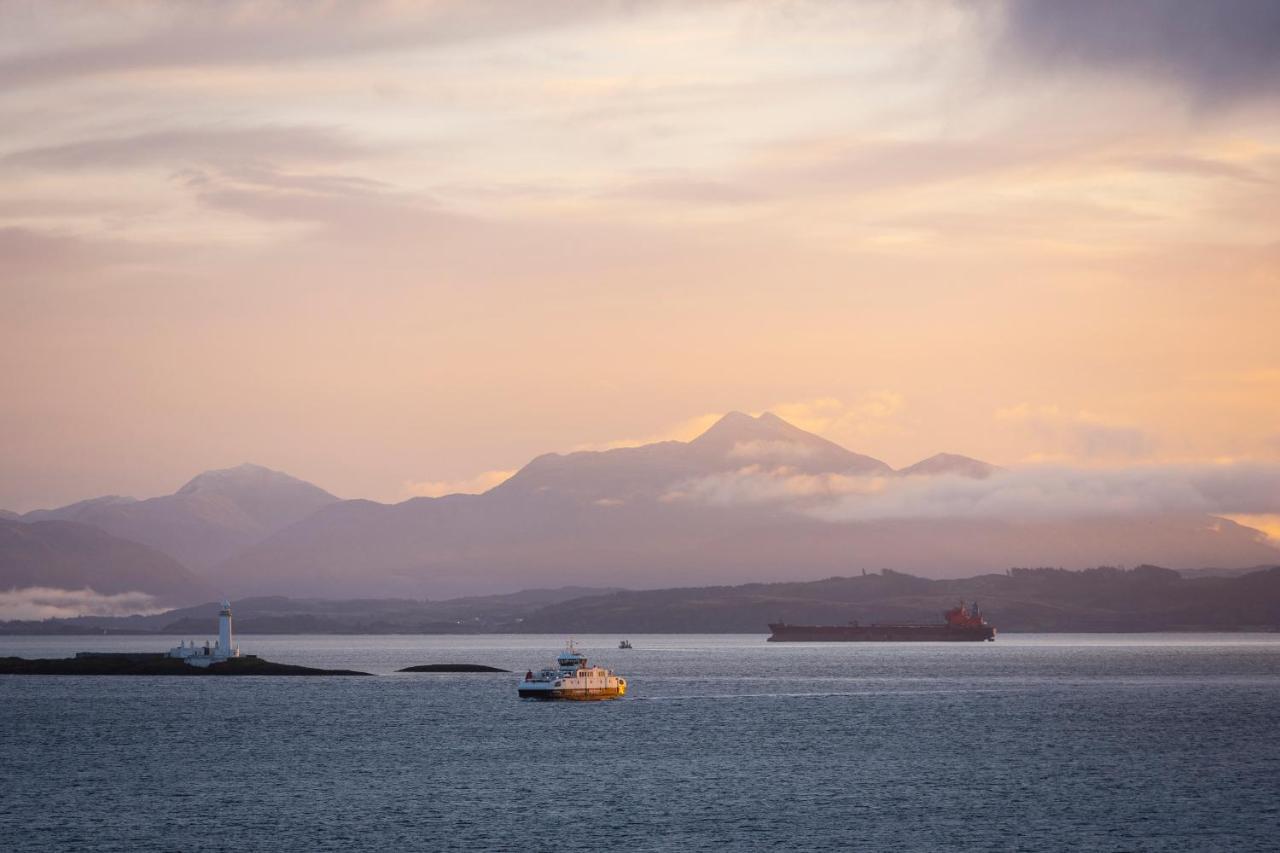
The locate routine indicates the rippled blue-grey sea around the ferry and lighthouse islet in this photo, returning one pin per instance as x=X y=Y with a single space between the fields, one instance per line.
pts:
x=1153 y=742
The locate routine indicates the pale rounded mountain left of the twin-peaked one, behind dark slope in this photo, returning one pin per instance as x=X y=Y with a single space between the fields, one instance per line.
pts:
x=205 y=522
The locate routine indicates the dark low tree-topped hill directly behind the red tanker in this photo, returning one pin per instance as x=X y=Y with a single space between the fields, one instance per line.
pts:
x=1148 y=599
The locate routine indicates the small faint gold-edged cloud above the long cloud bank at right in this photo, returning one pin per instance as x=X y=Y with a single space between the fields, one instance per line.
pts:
x=1080 y=435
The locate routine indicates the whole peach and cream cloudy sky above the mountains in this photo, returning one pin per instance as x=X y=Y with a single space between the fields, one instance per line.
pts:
x=400 y=249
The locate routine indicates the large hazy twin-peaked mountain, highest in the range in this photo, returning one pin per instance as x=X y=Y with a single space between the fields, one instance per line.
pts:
x=732 y=505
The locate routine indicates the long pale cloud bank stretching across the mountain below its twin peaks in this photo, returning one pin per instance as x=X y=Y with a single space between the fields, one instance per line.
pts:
x=1039 y=492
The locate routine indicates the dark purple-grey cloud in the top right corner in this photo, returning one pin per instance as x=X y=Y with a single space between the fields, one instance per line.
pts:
x=1218 y=51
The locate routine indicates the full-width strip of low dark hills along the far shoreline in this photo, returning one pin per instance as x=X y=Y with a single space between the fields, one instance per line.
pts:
x=1148 y=599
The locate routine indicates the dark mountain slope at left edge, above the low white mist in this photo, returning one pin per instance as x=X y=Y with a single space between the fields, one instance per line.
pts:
x=68 y=555
